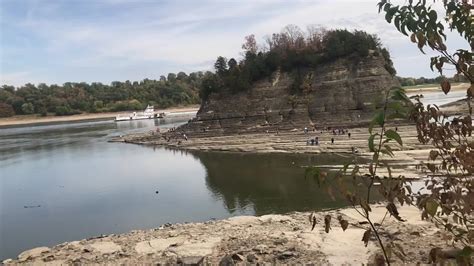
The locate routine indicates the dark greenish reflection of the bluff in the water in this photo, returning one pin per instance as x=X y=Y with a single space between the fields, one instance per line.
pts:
x=268 y=183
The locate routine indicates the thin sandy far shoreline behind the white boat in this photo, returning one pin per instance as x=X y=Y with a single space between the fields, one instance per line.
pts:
x=34 y=119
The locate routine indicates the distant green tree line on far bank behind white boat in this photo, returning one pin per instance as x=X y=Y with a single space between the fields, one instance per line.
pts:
x=73 y=98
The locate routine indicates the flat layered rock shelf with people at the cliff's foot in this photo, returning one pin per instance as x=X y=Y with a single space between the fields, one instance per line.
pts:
x=405 y=161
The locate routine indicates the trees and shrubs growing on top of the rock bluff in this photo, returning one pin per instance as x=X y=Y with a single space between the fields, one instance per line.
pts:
x=291 y=50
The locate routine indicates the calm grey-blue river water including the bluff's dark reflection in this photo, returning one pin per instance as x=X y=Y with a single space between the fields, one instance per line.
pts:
x=65 y=182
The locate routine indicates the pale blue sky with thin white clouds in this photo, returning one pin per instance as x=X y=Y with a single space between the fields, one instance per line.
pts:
x=56 y=41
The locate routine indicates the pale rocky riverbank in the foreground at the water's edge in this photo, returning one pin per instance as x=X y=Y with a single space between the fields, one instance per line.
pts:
x=247 y=239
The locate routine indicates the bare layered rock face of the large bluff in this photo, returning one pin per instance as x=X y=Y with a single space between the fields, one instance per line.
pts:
x=339 y=94
